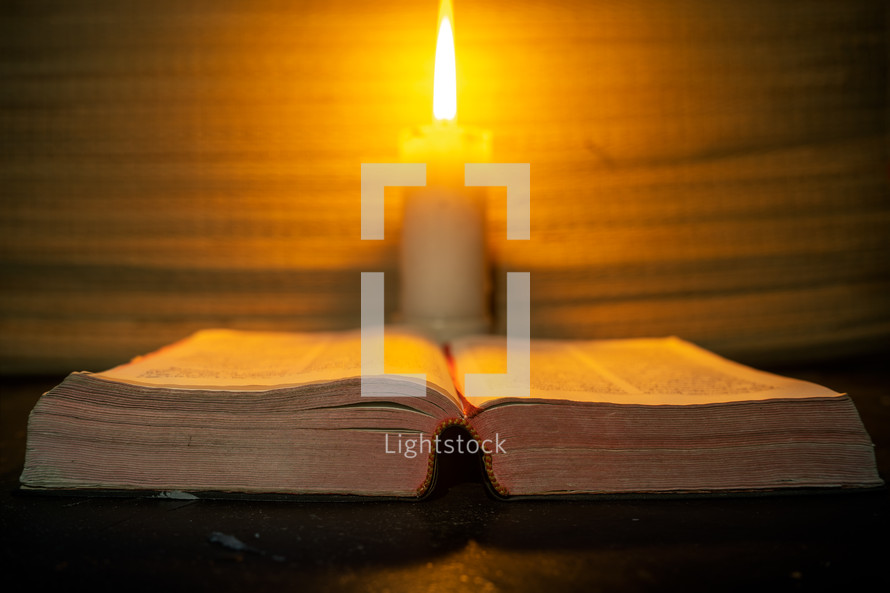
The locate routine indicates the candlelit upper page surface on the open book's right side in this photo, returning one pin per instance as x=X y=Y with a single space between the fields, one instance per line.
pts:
x=658 y=371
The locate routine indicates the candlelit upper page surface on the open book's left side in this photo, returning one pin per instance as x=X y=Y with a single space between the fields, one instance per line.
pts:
x=241 y=360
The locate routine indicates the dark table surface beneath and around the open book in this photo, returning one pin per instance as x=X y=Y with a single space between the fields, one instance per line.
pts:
x=460 y=539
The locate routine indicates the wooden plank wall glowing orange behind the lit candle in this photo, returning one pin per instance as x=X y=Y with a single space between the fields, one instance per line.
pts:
x=713 y=169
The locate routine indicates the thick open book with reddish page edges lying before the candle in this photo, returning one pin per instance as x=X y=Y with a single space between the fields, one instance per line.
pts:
x=262 y=413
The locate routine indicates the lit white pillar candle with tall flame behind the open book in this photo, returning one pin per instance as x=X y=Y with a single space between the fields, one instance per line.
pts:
x=443 y=264
